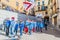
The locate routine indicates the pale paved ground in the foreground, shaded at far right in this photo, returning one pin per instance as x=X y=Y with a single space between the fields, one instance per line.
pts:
x=51 y=34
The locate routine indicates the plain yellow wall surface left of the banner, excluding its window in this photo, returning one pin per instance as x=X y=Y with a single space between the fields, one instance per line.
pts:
x=12 y=3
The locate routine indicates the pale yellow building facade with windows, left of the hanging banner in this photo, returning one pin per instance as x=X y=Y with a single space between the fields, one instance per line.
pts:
x=13 y=4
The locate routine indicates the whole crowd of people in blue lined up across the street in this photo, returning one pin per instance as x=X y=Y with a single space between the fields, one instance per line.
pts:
x=11 y=26
